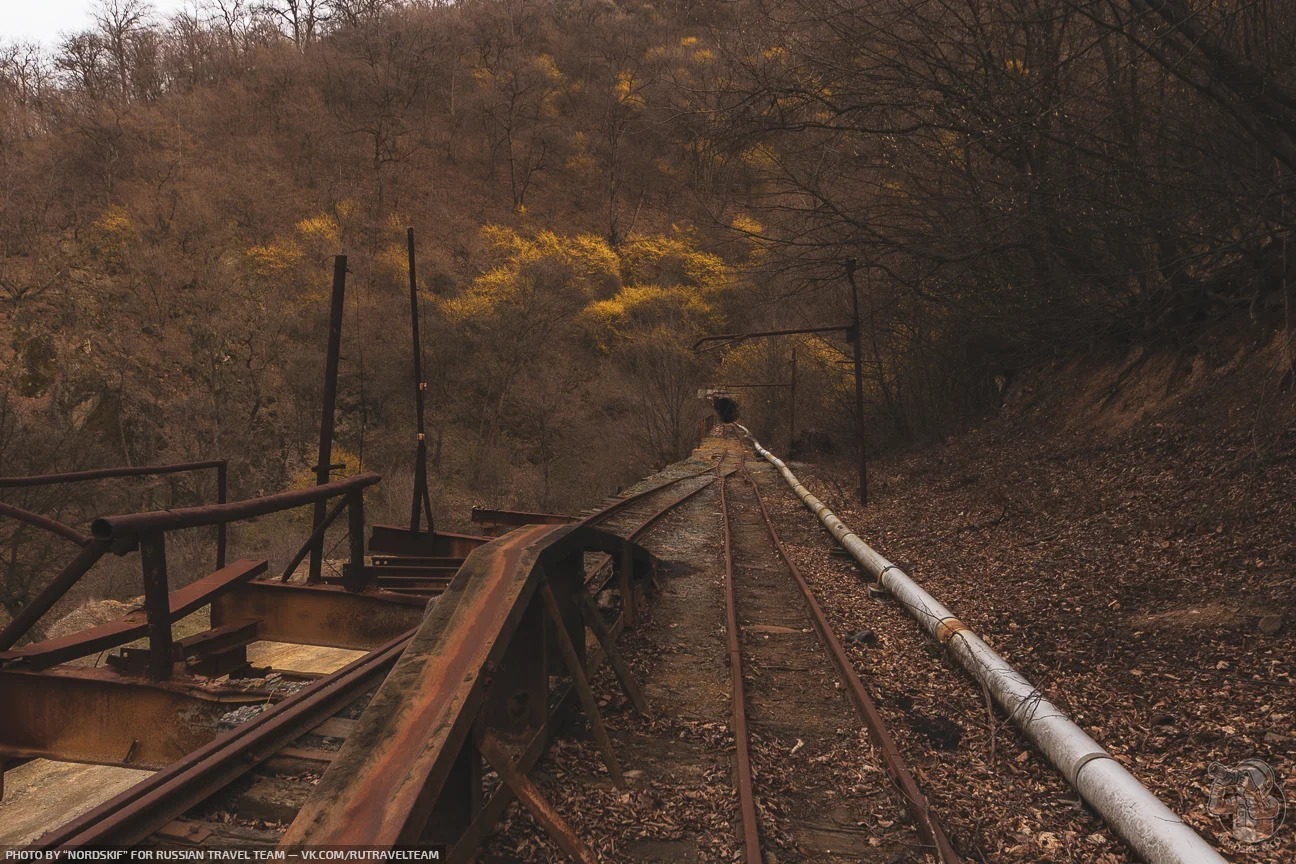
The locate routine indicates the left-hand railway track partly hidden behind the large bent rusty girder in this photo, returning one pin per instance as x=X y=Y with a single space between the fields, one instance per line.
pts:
x=247 y=786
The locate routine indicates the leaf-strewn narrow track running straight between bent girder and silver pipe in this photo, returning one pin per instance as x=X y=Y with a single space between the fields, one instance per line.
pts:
x=795 y=698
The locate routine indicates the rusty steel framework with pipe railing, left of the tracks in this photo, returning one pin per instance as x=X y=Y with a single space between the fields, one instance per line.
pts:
x=151 y=707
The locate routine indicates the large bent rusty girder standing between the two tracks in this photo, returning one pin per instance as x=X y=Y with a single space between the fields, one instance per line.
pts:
x=481 y=656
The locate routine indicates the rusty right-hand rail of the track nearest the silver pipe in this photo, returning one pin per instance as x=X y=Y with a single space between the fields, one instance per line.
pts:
x=894 y=761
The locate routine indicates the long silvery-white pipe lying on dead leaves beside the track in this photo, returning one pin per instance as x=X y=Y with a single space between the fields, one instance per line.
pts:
x=1151 y=828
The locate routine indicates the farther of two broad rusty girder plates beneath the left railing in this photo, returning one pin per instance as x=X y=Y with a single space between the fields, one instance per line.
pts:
x=319 y=615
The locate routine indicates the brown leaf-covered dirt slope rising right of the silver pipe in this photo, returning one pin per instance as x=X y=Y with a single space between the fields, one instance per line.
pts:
x=1124 y=533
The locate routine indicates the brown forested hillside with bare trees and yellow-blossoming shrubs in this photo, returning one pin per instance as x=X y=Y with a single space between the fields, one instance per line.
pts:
x=596 y=186
